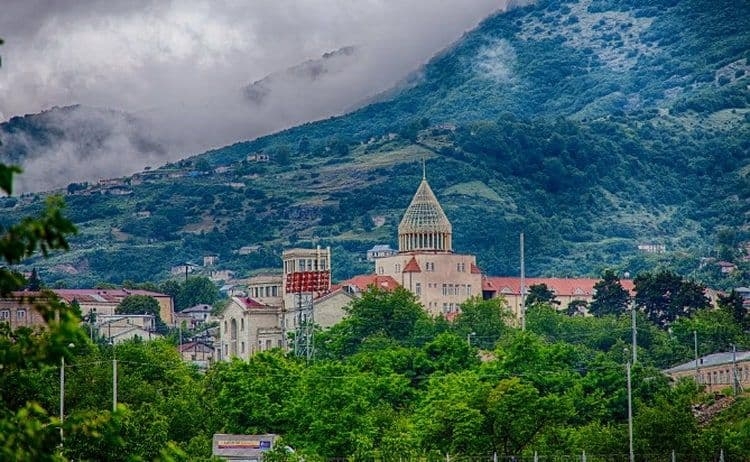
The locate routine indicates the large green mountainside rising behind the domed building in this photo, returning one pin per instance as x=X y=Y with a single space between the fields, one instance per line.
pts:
x=593 y=126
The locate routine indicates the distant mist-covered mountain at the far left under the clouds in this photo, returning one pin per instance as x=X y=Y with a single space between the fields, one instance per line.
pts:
x=76 y=143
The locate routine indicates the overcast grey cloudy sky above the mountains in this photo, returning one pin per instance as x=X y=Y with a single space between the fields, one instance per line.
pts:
x=183 y=64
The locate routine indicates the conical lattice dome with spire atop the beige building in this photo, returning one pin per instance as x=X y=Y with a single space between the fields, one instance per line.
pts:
x=424 y=226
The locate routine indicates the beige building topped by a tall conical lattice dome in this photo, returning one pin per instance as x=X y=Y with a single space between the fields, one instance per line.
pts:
x=425 y=263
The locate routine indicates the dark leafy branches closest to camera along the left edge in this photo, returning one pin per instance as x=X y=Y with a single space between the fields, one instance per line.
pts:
x=27 y=430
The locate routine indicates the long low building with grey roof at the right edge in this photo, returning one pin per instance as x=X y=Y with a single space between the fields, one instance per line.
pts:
x=716 y=371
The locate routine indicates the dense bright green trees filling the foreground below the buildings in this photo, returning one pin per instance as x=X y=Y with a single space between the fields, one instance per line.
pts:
x=403 y=385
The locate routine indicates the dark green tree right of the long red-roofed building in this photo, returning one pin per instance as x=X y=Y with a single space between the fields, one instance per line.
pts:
x=665 y=296
